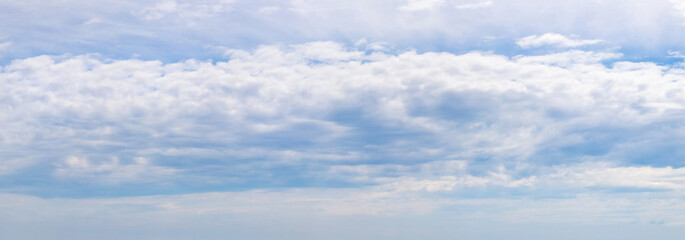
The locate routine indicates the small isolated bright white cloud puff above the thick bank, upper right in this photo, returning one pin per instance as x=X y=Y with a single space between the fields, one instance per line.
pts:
x=555 y=40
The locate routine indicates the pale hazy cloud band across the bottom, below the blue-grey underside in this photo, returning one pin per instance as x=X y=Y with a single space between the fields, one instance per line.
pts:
x=585 y=202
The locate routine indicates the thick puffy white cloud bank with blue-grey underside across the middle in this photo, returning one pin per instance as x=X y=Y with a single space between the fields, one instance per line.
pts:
x=287 y=115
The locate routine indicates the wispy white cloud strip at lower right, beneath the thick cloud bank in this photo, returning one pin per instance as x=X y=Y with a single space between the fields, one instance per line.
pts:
x=441 y=176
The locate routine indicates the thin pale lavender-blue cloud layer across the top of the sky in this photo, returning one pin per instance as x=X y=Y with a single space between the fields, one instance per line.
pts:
x=175 y=30
